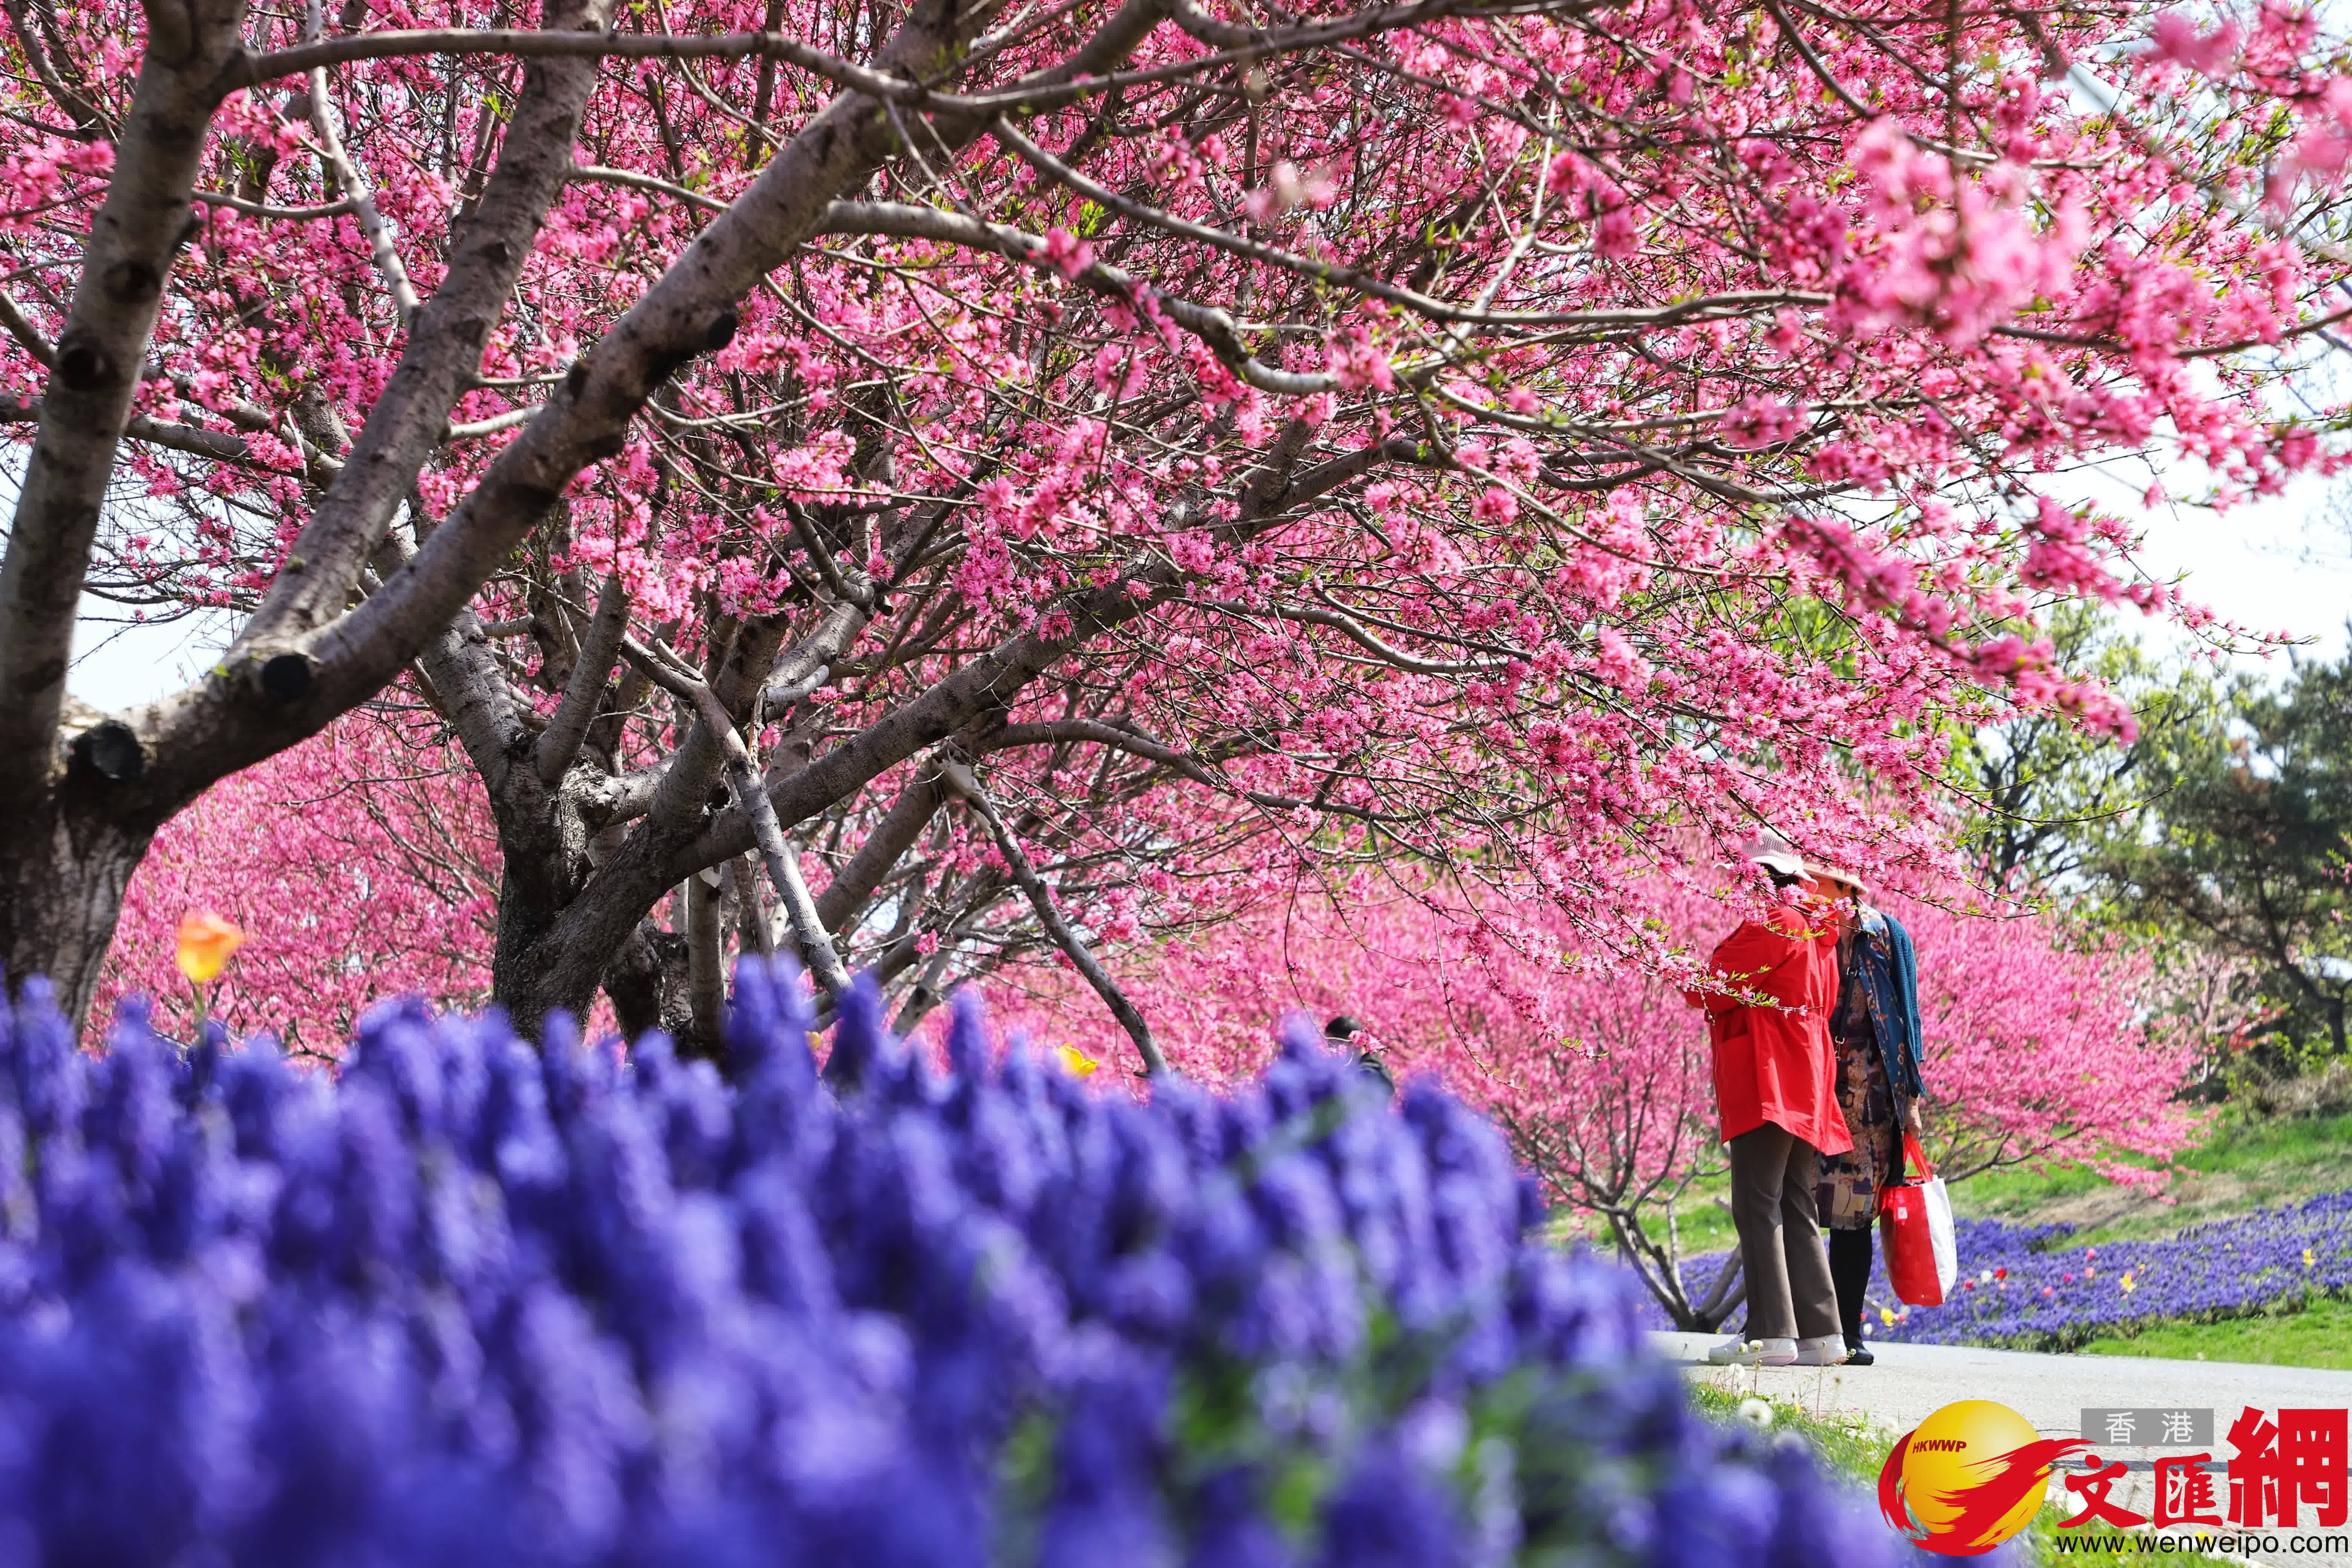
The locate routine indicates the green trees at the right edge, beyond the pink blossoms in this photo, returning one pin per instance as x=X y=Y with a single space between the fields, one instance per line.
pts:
x=2217 y=843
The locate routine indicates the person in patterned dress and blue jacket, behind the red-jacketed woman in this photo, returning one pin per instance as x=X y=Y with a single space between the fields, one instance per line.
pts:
x=1876 y=1033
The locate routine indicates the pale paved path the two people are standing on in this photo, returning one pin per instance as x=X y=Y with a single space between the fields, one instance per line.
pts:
x=2052 y=1393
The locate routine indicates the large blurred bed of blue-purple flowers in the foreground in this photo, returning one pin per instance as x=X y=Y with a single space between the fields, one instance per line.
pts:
x=476 y=1304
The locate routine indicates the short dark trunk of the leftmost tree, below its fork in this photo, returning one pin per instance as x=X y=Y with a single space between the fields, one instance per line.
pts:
x=62 y=880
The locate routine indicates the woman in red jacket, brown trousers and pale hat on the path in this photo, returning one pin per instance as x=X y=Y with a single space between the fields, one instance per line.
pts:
x=1777 y=1094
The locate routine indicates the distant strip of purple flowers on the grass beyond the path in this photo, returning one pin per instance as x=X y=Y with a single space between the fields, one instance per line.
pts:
x=2031 y=1287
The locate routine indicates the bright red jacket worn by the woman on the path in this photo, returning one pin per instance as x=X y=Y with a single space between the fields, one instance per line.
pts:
x=1775 y=1064
